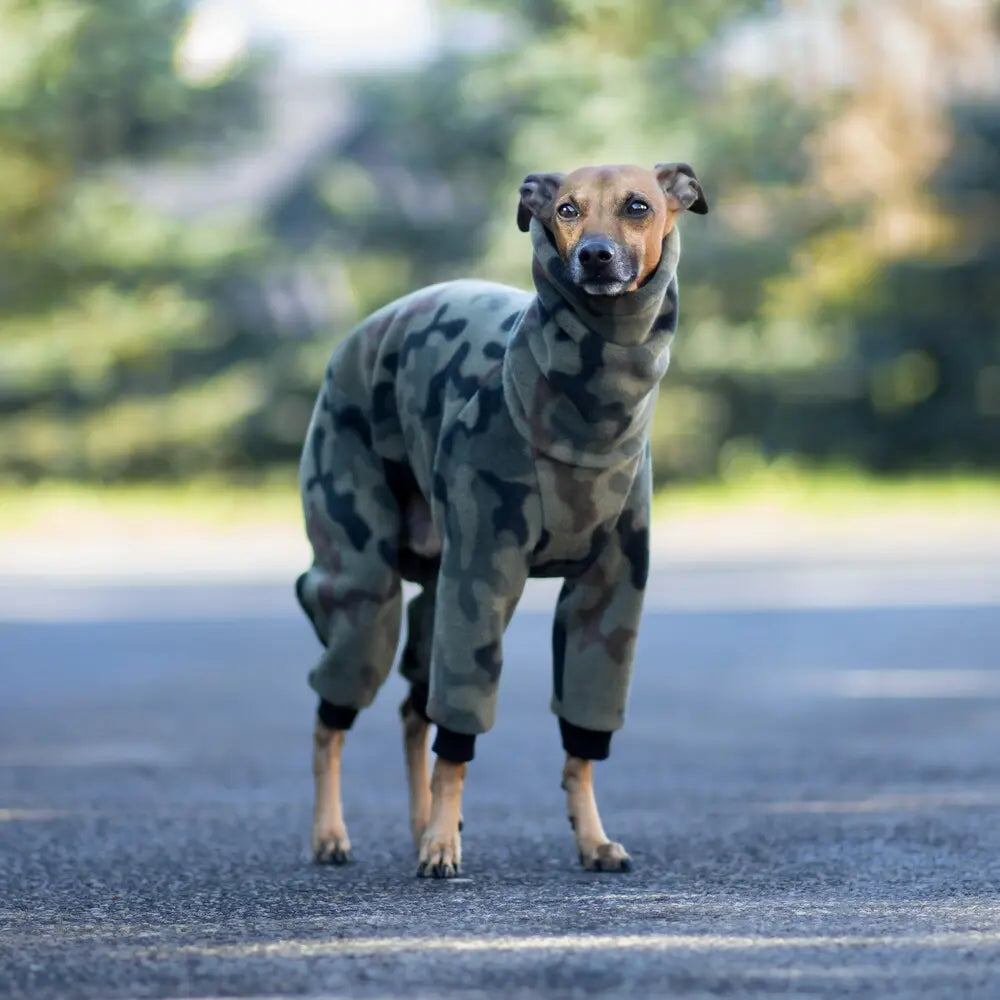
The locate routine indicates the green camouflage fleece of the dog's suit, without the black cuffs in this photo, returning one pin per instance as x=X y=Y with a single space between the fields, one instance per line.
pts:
x=466 y=437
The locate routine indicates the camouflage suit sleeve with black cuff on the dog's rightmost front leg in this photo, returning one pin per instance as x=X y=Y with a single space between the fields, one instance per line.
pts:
x=596 y=624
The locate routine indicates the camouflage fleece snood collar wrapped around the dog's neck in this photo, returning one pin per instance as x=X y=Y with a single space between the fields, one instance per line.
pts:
x=581 y=372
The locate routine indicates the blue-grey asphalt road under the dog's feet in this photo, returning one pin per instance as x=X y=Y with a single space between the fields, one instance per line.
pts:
x=811 y=797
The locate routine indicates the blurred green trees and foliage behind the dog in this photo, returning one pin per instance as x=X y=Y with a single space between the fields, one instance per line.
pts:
x=197 y=199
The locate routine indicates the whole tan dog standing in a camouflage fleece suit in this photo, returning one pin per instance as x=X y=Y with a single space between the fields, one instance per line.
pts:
x=469 y=436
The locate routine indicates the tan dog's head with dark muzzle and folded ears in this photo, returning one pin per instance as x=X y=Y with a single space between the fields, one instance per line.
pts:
x=609 y=223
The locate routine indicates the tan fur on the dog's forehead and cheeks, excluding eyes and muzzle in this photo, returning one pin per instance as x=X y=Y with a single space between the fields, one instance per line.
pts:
x=601 y=193
